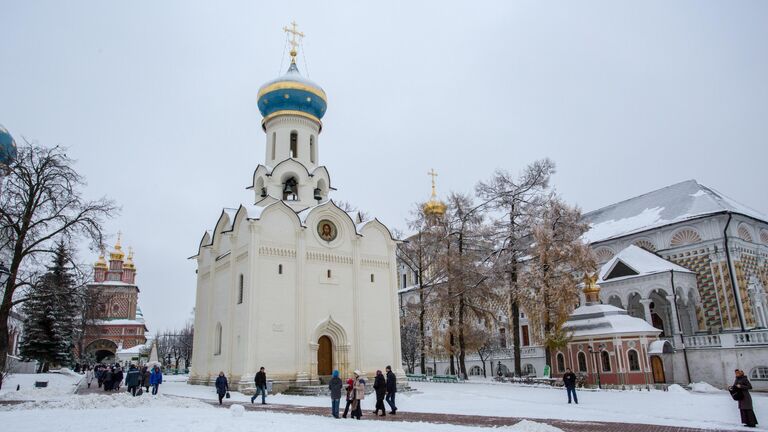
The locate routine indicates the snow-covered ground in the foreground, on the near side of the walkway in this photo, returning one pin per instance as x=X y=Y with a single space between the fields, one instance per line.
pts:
x=121 y=412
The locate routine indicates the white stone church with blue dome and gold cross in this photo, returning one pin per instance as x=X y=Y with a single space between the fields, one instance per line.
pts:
x=288 y=280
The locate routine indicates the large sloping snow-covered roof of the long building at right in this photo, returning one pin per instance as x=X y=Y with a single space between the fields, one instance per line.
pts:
x=672 y=204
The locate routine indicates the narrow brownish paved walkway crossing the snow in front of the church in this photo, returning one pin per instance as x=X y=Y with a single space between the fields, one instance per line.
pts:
x=463 y=420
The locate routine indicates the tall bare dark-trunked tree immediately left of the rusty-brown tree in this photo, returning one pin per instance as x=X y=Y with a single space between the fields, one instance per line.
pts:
x=515 y=200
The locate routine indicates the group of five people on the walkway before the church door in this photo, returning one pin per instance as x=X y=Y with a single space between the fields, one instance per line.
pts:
x=384 y=386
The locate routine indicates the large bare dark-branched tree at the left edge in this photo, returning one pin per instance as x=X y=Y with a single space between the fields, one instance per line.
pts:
x=41 y=201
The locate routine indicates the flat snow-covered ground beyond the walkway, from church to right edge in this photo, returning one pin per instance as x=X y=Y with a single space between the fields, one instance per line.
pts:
x=709 y=408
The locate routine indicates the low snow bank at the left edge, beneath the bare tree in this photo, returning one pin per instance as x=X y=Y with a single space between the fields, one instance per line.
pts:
x=60 y=384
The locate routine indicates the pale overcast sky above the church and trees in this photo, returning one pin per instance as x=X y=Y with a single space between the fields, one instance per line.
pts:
x=157 y=102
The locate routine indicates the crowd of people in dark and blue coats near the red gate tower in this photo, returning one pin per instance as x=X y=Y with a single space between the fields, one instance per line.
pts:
x=110 y=377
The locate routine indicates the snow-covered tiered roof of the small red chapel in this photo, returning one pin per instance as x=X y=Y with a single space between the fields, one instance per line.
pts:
x=603 y=319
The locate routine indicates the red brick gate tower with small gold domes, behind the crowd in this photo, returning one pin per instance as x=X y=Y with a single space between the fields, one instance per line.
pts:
x=119 y=327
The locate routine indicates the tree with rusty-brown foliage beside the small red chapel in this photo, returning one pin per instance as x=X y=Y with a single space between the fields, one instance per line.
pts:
x=559 y=259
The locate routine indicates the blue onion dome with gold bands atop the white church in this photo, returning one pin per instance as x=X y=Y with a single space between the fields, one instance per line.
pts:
x=292 y=94
